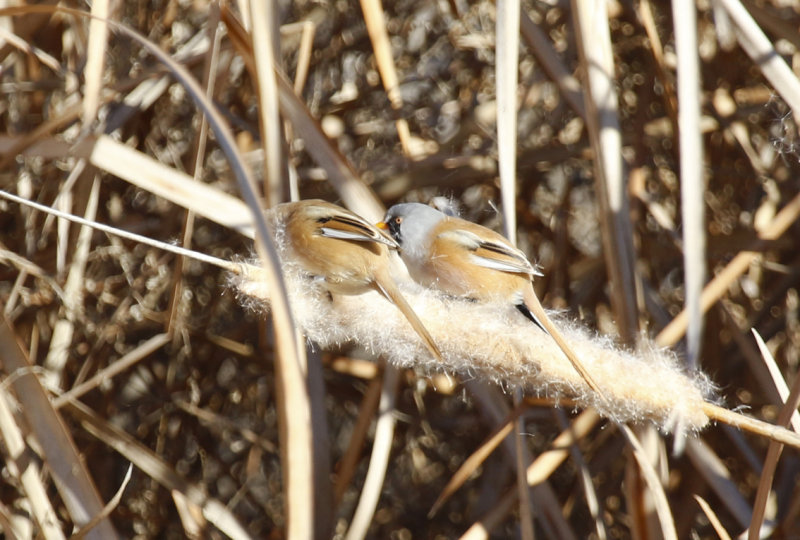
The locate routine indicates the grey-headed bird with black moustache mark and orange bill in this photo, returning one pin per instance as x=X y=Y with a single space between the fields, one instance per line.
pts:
x=468 y=260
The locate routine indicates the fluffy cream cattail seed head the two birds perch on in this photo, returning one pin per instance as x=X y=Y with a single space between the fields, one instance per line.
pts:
x=498 y=343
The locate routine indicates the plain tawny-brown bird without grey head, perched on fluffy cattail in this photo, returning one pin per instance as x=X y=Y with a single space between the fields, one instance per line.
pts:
x=349 y=254
